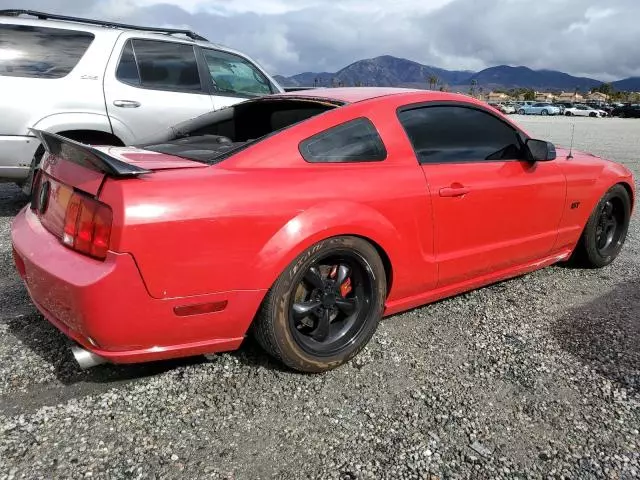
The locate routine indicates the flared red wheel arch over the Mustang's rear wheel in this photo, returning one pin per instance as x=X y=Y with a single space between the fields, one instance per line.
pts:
x=321 y=222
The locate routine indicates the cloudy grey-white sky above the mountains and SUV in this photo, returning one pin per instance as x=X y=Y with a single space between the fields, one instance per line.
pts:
x=597 y=39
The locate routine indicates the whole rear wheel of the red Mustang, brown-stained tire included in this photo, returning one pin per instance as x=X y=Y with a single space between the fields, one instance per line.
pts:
x=325 y=307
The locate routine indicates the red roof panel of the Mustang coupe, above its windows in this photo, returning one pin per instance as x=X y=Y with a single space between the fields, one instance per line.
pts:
x=359 y=94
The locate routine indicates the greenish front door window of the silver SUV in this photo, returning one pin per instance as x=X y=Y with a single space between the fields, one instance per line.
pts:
x=235 y=75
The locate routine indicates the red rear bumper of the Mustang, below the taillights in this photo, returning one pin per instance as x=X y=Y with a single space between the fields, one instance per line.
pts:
x=105 y=307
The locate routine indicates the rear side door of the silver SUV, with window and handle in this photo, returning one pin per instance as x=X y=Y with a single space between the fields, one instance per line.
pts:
x=151 y=85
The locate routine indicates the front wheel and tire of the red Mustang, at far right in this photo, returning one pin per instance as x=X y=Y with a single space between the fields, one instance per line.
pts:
x=605 y=231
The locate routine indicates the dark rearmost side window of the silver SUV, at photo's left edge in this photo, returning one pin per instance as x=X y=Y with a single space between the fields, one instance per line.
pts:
x=40 y=52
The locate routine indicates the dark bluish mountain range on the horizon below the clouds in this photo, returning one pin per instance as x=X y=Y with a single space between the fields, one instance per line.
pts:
x=387 y=70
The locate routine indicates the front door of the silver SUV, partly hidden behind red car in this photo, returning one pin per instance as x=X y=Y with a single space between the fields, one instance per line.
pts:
x=233 y=78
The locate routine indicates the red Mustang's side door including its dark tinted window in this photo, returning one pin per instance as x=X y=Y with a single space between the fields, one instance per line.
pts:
x=492 y=209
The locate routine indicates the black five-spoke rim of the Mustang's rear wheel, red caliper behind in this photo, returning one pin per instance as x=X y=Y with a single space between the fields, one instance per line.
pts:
x=330 y=304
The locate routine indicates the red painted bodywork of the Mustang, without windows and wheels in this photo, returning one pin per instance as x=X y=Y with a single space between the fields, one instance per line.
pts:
x=189 y=234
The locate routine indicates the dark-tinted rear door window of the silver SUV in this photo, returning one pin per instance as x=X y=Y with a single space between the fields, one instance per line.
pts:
x=159 y=65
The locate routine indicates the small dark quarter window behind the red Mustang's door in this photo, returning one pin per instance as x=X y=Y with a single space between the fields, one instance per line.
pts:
x=353 y=141
